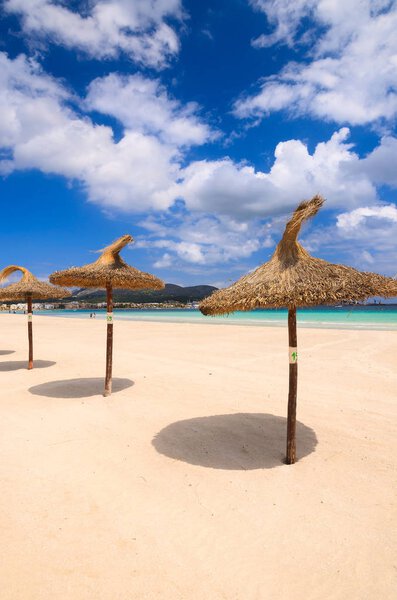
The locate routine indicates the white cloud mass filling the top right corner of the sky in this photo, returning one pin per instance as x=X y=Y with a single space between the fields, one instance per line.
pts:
x=350 y=73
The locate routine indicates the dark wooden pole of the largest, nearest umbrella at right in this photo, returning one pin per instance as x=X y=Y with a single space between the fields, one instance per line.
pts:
x=293 y=386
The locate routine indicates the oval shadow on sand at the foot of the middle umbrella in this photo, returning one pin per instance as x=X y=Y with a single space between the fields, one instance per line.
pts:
x=78 y=388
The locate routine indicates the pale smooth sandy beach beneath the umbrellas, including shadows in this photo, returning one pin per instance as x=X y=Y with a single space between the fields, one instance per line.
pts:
x=174 y=487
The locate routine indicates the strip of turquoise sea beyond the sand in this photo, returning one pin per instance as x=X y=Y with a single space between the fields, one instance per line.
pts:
x=379 y=317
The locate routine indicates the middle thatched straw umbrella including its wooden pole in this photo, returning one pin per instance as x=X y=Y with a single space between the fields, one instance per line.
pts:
x=109 y=271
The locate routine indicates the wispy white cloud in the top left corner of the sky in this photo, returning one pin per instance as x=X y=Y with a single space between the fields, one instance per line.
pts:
x=105 y=28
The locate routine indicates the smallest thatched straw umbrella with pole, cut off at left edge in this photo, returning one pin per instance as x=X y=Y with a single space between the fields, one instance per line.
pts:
x=27 y=289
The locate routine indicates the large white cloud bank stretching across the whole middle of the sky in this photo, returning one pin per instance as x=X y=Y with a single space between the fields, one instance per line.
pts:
x=144 y=169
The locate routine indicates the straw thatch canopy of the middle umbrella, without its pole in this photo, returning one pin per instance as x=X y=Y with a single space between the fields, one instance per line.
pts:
x=109 y=269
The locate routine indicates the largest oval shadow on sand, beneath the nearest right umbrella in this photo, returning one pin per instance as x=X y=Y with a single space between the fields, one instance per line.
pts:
x=240 y=441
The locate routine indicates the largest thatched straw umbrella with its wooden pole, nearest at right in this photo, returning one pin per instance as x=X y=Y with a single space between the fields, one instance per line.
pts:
x=293 y=278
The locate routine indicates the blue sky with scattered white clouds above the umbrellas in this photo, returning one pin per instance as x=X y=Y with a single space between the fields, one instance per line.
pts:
x=197 y=126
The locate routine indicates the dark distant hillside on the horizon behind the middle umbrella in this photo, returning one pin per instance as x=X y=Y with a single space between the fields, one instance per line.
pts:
x=170 y=292
